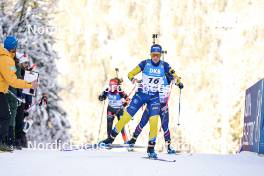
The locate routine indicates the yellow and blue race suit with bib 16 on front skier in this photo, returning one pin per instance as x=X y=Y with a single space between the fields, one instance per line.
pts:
x=153 y=78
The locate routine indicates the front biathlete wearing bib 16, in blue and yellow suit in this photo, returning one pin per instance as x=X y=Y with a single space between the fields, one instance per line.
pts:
x=153 y=79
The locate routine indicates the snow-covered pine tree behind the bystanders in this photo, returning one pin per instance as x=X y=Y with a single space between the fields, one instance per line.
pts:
x=29 y=21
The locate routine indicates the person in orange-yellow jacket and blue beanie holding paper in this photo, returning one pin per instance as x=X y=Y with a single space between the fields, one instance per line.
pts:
x=8 y=78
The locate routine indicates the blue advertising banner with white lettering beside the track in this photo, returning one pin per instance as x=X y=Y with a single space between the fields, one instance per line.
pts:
x=253 y=133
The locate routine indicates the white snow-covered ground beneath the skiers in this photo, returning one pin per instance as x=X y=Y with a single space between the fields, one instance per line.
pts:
x=108 y=163
